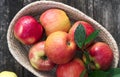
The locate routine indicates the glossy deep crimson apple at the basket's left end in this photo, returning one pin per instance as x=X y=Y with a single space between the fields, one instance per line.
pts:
x=27 y=30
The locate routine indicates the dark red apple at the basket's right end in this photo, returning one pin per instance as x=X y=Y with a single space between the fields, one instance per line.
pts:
x=101 y=54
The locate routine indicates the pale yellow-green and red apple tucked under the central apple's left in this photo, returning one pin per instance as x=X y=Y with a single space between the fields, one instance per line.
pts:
x=38 y=58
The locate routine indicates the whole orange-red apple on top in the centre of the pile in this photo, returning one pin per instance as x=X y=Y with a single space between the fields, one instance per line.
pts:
x=59 y=47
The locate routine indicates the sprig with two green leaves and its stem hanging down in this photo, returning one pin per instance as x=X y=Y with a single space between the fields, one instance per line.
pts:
x=82 y=41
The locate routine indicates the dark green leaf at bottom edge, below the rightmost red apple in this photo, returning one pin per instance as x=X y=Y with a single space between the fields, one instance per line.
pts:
x=99 y=73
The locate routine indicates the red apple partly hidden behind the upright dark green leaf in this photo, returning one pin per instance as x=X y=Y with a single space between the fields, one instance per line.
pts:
x=87 y=26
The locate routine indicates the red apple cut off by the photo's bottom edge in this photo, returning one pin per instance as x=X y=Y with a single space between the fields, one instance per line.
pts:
x=73 y=68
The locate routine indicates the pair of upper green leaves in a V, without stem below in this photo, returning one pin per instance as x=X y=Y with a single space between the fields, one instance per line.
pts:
x=80 y=36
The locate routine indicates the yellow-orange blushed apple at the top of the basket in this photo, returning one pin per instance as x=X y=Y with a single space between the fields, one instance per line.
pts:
x=54 y=20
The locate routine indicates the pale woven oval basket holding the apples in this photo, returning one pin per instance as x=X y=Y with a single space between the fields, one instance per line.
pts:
x=20 y=51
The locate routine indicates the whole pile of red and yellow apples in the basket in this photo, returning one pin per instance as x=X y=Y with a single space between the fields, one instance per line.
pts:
x=58 y=49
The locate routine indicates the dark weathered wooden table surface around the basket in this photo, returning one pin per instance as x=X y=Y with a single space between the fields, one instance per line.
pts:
x=106 y=12
